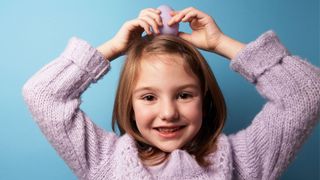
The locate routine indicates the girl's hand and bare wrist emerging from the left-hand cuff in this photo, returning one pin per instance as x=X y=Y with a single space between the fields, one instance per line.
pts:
x=130 y=30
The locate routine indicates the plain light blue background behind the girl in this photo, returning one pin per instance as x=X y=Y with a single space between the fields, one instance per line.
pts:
x=33 y=32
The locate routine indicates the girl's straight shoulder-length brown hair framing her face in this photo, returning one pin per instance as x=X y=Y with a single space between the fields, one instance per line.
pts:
x=214 y=108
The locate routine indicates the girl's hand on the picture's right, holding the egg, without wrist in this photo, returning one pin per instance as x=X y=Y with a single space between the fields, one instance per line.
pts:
x=205 y=32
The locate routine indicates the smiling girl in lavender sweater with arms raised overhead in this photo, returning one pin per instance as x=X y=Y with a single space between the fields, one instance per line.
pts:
x=169 y=108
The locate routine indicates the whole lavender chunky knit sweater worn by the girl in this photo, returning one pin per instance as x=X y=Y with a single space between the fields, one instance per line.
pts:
x=261 y=151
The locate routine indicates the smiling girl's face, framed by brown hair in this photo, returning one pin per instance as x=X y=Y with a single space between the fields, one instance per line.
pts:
x=167 y=102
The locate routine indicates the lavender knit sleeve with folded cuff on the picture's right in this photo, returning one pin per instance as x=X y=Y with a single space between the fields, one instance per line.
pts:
x=291 y=87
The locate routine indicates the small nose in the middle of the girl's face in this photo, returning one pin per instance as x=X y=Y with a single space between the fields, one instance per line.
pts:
x=169 y=111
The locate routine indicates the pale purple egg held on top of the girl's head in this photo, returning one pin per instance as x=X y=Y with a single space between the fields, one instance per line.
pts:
x=165 y=15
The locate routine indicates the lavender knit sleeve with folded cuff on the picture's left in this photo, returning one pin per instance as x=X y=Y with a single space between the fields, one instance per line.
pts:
x=53 y=97
